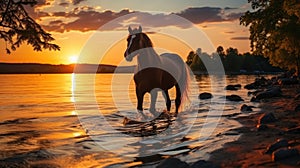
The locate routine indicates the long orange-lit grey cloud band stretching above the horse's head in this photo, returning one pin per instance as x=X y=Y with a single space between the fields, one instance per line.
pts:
x=86 y=18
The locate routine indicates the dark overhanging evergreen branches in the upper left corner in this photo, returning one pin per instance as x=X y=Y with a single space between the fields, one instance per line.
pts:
x=17 y=27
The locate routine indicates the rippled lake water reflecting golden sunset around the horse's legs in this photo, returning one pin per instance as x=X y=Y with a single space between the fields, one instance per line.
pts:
x=57 y=120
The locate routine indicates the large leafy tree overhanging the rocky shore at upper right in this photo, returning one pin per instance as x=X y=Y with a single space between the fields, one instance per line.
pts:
x=275 y=31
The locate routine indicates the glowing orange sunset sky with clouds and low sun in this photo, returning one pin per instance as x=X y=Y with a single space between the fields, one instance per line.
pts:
x=73 y=23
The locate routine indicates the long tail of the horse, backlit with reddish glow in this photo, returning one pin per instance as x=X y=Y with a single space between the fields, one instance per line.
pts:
x=184 y=84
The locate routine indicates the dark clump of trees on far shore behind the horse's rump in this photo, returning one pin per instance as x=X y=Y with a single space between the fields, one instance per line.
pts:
x=232 y=60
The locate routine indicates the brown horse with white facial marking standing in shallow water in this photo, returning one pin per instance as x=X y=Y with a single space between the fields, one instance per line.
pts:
x=156 y=72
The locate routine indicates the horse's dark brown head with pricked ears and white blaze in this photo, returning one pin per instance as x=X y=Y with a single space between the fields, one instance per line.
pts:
x=136 y=40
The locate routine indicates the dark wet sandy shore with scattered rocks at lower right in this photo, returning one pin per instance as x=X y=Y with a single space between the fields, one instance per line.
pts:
x=249 y=150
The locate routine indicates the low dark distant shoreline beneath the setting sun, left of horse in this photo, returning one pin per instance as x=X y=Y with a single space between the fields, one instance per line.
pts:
x=33 y=68
